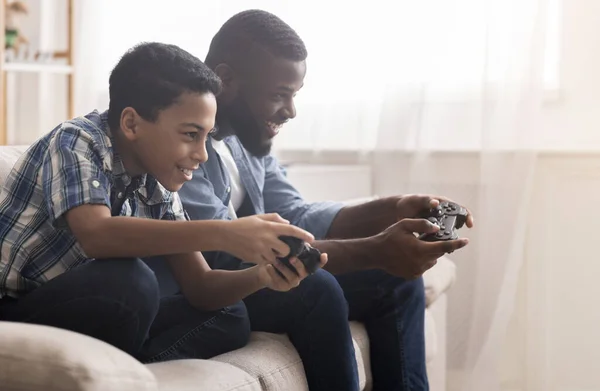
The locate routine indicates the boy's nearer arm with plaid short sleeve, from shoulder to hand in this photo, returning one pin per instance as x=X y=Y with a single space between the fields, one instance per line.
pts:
x=77 y=192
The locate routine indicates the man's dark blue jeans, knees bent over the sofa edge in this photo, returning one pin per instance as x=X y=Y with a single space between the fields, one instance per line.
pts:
x=315 y=316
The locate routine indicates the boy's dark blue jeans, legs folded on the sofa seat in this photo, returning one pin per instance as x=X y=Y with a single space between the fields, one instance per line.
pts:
x=118 y=301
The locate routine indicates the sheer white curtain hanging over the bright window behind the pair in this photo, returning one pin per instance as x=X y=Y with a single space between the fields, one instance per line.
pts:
x=438 y=96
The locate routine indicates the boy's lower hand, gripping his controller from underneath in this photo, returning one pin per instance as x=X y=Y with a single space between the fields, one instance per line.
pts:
x=288 y=279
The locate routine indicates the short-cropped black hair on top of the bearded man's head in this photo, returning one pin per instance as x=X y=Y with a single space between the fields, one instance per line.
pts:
x=248 y=30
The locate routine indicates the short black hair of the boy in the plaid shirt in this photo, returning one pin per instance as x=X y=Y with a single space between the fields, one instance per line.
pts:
x=151 y=76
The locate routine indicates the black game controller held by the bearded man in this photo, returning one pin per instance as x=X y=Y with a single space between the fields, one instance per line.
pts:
x=449 y=217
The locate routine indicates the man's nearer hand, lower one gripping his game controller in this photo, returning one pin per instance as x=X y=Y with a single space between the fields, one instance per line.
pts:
x=399 y=252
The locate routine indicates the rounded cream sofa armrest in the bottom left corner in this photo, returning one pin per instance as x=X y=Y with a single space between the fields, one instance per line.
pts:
x=34 y=357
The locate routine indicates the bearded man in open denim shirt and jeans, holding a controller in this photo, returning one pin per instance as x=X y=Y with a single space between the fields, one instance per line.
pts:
x=375 y=260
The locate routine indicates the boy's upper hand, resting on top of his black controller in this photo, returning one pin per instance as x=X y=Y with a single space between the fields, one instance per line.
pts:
x=255 y=239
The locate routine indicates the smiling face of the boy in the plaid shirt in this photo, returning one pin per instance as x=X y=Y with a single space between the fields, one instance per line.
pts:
x=173 y=146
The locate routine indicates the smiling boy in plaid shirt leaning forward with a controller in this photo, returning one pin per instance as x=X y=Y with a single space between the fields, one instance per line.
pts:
x=88 y=199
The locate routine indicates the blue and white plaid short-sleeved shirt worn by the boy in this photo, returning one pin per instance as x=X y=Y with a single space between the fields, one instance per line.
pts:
x=73 y=165
